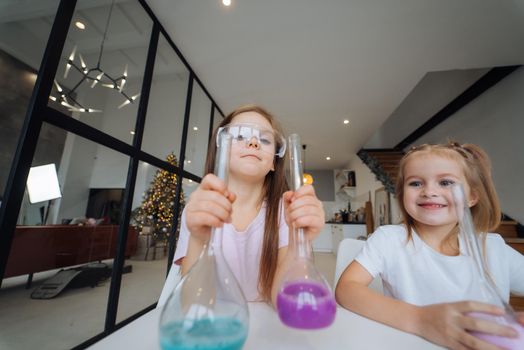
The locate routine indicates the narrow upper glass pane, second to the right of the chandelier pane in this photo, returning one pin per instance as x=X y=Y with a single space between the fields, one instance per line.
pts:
x=198 y=133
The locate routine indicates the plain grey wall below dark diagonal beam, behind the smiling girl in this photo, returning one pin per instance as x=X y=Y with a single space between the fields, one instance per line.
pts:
x=495 y=121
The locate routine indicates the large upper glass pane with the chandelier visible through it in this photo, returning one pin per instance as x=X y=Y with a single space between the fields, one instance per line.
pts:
x=101 y=71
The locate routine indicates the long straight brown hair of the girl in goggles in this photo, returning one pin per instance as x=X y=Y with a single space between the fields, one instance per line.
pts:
x=274 y=186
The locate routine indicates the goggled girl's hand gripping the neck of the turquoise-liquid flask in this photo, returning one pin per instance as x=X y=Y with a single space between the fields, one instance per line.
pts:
x=210 y=205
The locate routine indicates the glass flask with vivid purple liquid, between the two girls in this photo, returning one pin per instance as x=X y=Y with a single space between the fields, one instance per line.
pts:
x=305 y=299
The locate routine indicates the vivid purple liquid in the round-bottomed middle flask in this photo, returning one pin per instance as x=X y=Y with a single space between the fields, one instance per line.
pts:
x=306 y=305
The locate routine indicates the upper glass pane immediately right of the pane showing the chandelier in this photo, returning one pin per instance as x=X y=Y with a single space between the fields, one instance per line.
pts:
x=165 y=111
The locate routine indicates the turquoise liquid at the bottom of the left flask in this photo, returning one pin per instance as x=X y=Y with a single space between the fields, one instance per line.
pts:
x=205 y=334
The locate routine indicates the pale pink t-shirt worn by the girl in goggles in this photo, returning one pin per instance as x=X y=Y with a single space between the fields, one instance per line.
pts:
x=242 y=249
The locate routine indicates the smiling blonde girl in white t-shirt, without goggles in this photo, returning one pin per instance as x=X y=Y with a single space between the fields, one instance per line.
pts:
x=425 y=278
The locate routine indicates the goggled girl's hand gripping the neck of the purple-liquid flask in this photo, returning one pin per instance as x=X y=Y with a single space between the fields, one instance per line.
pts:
x=303 y=209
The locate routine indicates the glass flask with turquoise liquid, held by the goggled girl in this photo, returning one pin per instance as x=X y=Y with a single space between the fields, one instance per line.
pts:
x=207 y=310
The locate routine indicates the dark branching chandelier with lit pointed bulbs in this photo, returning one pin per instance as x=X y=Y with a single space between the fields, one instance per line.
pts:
x=93 y=75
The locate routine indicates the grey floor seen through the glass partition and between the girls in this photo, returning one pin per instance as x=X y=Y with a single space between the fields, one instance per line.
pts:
x=78 y=314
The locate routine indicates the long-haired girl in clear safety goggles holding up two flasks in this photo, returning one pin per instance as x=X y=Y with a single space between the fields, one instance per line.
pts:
x=250 y=210
